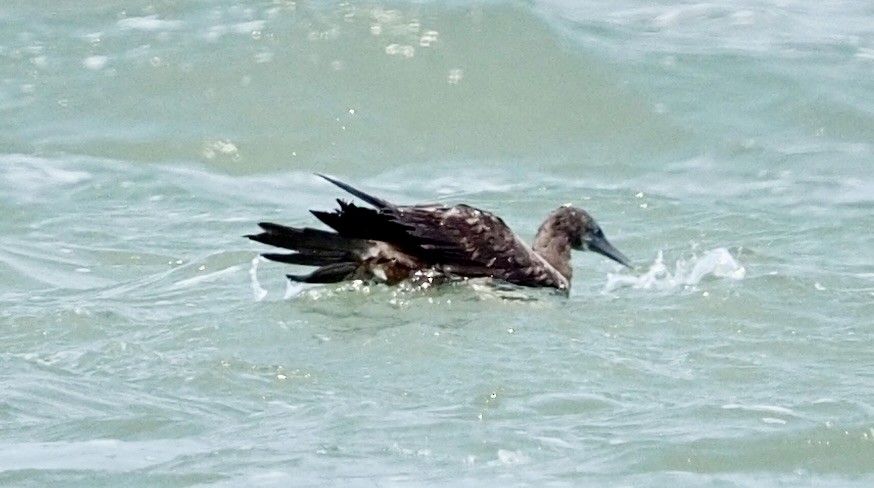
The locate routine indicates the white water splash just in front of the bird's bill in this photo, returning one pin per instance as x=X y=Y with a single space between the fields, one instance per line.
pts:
x=717 y=262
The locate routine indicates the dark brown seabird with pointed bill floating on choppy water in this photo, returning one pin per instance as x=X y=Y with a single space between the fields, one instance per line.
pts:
x=388 y=243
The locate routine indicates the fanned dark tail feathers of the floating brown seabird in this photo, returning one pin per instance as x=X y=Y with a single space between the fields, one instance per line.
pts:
x=337 y=257
